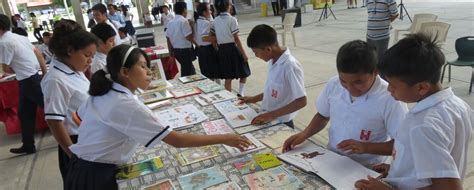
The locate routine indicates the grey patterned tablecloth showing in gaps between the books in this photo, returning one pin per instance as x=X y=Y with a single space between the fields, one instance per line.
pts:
x=172 y=169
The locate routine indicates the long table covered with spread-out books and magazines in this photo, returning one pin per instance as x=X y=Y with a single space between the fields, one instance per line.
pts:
x=217 y=166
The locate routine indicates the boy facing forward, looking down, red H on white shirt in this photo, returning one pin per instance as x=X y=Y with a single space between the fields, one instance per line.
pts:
x=364 y=117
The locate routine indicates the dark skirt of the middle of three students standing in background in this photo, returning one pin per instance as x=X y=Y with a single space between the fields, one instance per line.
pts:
x=208 y=61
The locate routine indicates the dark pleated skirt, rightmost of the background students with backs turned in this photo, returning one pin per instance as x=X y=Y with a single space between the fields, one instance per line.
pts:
x=231 y=62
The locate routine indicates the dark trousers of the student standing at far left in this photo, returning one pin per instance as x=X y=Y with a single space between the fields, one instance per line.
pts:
x=30 y=98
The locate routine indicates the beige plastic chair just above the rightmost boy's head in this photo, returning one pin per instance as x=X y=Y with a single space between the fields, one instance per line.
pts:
x=437 y=30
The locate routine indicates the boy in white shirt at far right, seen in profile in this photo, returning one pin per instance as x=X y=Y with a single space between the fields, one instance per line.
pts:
x=431 y=145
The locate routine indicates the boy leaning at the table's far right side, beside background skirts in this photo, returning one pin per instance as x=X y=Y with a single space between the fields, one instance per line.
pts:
x=284 y=92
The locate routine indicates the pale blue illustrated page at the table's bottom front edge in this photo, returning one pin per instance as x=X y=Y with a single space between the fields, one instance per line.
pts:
x=202 y=179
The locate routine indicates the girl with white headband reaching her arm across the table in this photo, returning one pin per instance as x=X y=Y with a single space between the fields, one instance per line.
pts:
x=114 y=122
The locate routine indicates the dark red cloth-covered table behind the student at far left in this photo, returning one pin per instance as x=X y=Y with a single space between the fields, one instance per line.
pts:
x=9 y=108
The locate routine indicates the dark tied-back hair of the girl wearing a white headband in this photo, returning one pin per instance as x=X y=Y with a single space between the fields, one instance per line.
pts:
x=100 y=85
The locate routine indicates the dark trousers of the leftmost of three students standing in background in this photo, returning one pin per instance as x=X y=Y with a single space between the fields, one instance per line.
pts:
x=185 y=58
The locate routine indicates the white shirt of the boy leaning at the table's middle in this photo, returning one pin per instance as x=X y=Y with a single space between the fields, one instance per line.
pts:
x=284 y=84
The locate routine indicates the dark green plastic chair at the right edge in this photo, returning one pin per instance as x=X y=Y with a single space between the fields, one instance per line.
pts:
x=465 y=50
